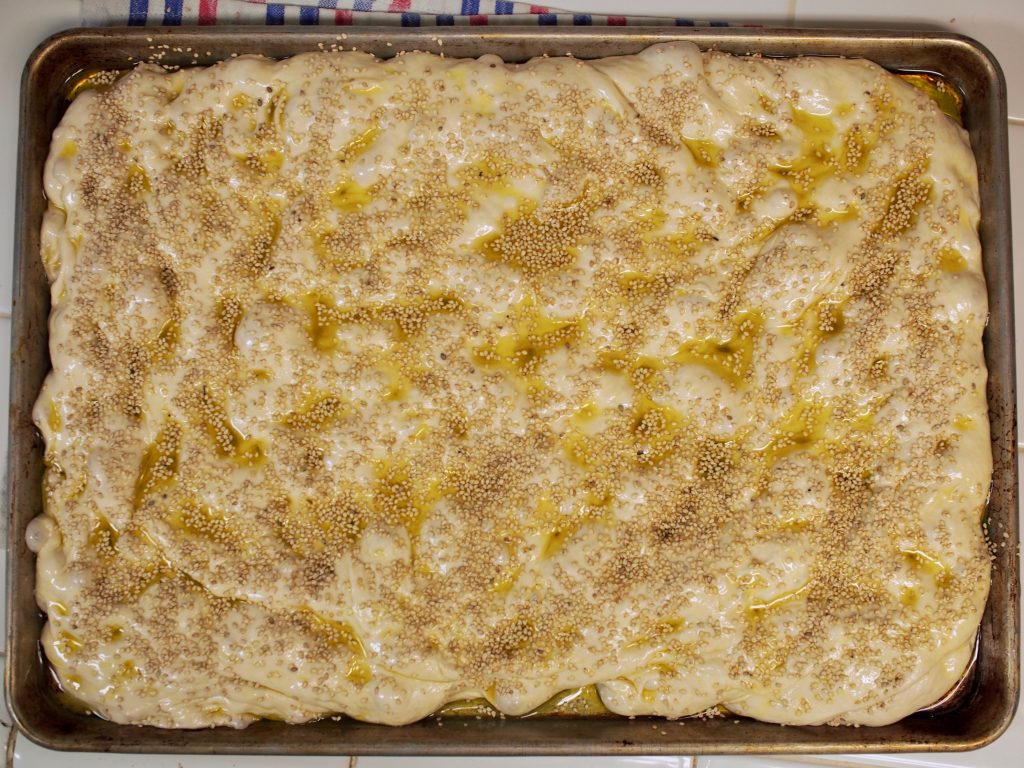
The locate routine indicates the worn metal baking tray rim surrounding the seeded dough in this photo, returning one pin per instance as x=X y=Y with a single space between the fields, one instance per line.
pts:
x=978 y=714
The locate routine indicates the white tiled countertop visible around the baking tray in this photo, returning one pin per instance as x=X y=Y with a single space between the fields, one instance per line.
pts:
x=998 y=24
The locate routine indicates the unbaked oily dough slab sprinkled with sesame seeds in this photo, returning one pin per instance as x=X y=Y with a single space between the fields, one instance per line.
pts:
x=380 y=386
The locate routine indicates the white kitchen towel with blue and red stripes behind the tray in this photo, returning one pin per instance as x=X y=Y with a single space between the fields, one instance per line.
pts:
x=346 y=13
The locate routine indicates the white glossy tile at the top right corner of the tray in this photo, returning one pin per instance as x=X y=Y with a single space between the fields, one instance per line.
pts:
x=997 y=24
